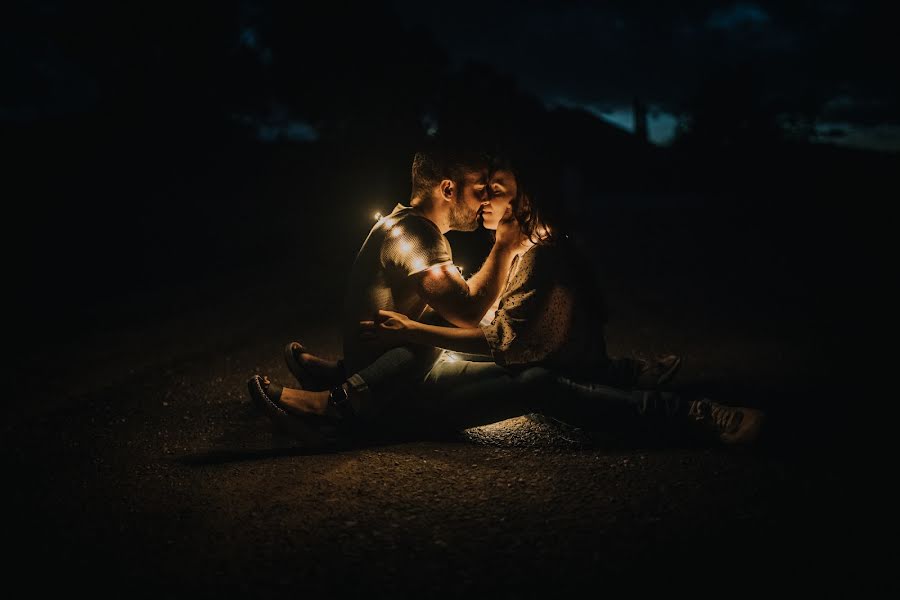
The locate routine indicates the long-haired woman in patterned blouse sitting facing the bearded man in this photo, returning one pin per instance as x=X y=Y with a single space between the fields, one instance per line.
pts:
x=546 y=339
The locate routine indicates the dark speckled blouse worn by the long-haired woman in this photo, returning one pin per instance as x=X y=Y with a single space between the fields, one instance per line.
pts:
x=546 y=315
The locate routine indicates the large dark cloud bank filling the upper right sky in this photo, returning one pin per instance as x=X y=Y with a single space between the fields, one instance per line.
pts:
x=803 y=56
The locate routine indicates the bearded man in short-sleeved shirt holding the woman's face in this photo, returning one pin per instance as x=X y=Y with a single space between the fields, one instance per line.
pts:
x=404 y=265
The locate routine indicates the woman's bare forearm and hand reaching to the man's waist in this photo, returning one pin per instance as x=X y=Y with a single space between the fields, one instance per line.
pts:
x=395 y=327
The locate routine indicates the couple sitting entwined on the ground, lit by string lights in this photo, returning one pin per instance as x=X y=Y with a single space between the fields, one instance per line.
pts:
x=524 y=334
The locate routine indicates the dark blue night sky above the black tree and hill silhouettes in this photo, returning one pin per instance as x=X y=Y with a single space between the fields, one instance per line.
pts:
x=825 y=69
